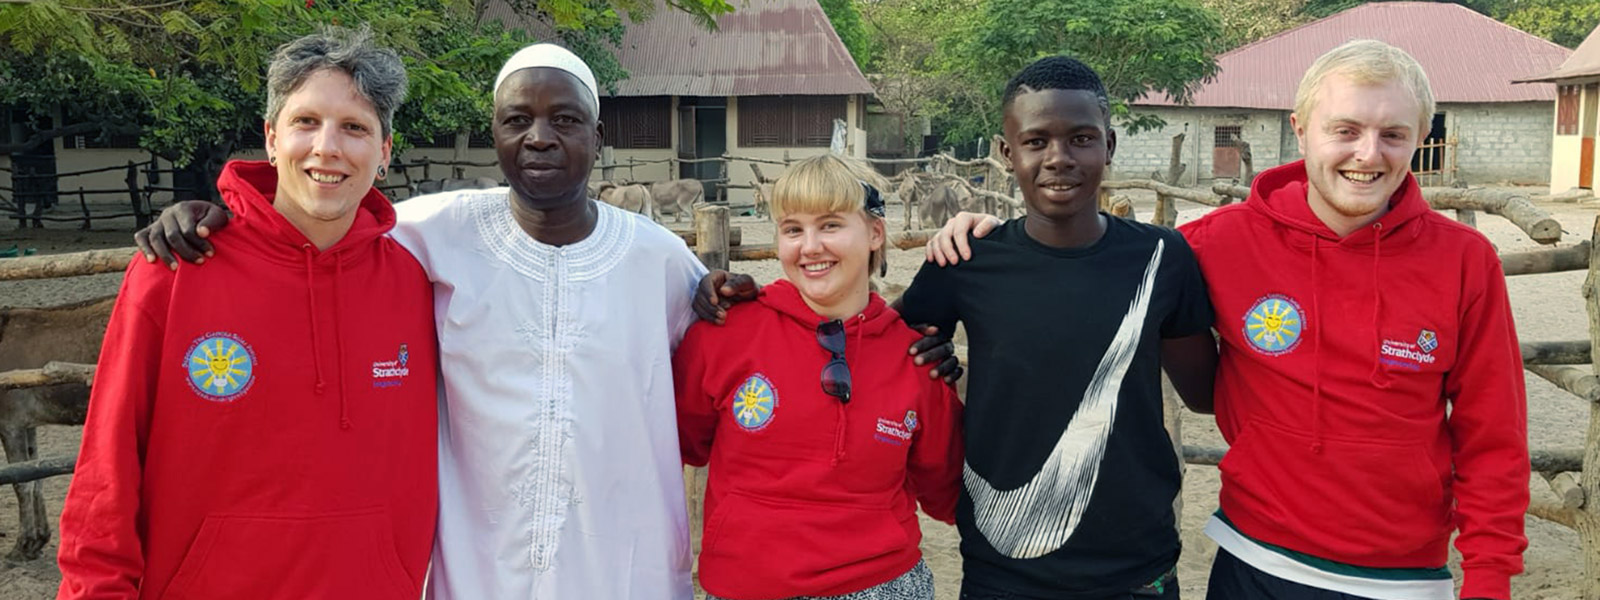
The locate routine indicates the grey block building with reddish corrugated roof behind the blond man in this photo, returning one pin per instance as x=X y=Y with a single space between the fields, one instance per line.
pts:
x=1486 y=129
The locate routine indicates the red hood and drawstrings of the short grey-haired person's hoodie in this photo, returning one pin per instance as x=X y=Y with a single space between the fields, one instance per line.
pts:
x=249 y=190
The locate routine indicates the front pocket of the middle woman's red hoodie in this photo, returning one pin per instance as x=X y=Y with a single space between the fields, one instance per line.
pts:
x=758 y=545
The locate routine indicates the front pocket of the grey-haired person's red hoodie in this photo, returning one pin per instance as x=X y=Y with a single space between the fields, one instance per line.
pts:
x=340 y=556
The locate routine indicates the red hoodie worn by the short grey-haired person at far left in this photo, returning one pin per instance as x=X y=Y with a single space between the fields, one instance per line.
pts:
x=306 y=465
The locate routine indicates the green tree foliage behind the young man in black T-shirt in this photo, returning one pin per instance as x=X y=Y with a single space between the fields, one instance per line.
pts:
x=1137 y=46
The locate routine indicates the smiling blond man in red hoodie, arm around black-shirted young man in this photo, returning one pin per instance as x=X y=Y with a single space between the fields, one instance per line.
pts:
x=1370 y=382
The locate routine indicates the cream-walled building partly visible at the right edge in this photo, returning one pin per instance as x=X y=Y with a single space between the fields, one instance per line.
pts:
x=1574 y=132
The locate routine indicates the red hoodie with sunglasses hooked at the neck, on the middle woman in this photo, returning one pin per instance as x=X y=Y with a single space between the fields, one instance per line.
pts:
x=809 y=495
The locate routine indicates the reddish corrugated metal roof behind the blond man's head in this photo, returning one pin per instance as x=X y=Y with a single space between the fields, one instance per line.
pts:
x=1468 y=57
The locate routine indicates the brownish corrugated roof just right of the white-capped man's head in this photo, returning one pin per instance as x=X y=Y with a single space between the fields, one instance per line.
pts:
x=764 y=47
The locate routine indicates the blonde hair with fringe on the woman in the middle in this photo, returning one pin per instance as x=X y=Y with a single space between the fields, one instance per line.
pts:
x=830 y=183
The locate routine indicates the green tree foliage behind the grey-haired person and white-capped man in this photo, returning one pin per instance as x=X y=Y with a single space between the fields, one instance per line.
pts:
x=188 y=74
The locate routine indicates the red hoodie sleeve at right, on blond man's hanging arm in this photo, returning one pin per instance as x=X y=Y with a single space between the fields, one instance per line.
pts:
x=1489 y=431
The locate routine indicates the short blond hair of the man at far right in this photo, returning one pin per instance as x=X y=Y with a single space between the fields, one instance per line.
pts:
x=1369 y=63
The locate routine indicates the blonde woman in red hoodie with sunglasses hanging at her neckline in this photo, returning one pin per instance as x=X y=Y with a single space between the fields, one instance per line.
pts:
x=820 y=431
